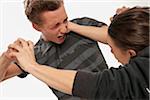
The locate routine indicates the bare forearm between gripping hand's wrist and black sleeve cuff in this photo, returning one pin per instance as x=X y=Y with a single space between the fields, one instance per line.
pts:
x=61 y=80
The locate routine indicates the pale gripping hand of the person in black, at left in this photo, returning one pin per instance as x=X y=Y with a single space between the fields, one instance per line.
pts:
x=24 y=53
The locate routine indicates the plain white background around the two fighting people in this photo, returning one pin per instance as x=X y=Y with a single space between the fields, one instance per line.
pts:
x=14 y=24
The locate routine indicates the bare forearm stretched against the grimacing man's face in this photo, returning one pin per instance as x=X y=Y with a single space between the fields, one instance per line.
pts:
x=95 y=33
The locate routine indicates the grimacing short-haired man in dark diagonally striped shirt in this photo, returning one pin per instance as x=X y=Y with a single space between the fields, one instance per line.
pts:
x=58 y=48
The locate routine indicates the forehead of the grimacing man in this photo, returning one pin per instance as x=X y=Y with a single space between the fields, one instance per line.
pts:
x=54 y=16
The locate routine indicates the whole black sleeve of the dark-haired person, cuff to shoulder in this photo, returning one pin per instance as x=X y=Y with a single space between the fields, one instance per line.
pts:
x=123 y=82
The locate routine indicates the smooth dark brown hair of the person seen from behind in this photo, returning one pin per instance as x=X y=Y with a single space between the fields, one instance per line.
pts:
x=130 y=29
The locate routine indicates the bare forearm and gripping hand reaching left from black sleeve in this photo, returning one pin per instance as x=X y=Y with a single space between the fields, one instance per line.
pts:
x=61 y=80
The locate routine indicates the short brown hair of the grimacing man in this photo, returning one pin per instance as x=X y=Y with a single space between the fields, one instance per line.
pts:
x=34 y=8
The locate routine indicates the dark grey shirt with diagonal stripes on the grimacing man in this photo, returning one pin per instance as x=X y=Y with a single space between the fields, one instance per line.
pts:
x=76 y=53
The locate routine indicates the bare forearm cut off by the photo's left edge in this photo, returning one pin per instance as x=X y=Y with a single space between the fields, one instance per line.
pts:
x=4 y=64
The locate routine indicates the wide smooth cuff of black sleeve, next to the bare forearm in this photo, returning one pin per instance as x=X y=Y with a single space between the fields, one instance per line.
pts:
x=85 y=84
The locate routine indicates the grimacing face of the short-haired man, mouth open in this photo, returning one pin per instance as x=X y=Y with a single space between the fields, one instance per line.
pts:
x=54 y=27
